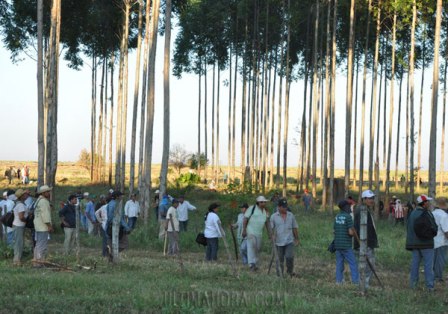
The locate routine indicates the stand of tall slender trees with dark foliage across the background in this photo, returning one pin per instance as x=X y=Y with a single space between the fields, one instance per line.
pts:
x=249 y=57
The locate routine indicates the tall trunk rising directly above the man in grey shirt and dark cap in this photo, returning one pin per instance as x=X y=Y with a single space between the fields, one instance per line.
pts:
x=286 y=118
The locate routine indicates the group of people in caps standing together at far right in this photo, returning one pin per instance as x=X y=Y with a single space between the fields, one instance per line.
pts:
x=426 y=238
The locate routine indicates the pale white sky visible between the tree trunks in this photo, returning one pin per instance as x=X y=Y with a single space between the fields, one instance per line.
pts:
x=18 y=109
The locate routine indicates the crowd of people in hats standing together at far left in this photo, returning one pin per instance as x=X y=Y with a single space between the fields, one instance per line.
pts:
x=35 y=214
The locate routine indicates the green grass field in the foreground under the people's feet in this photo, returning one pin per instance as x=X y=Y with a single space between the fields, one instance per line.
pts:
x=144 y=281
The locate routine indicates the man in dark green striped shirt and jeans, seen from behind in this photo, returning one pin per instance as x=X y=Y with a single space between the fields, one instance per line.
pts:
x=343 y=232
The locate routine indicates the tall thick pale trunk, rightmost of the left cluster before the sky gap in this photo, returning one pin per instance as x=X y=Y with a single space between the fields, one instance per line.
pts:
x=166 y=99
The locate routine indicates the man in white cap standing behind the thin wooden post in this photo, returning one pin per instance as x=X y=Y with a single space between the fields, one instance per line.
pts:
x=367 y=201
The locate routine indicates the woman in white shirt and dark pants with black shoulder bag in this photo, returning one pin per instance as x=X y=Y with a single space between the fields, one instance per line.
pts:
x=212 y=232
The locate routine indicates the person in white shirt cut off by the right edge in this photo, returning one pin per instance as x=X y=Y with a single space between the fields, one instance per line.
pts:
x=441 y=239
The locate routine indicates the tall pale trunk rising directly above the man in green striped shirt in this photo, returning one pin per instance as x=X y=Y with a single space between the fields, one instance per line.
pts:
x=348 y=113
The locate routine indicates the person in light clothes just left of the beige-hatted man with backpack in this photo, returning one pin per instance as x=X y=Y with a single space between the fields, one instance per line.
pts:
x=20 y=214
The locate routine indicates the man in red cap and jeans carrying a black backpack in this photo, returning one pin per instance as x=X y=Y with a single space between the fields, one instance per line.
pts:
x=421 y=230
